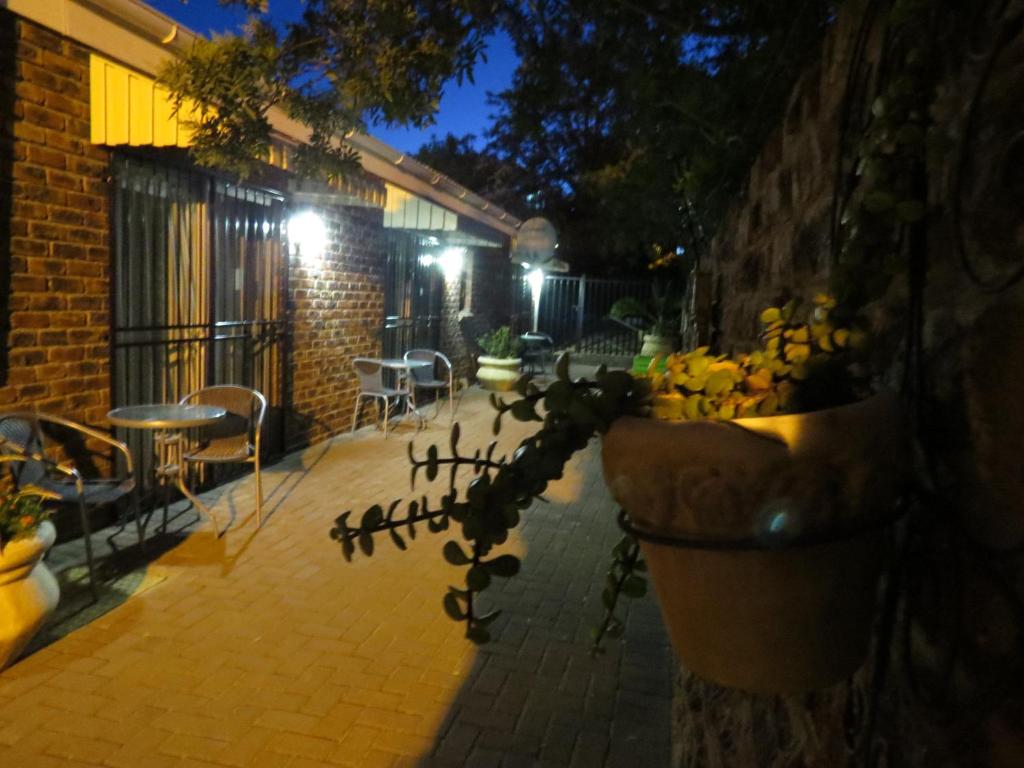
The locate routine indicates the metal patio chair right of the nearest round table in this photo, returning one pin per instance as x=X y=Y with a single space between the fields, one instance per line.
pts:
x=234 y=440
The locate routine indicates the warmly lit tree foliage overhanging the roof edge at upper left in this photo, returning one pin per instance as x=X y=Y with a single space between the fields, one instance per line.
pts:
x=344 y=64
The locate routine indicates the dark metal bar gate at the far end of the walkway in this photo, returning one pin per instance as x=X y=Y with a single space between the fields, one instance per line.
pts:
x=575 y=313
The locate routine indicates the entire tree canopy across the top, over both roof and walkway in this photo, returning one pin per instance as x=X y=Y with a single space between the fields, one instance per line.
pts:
x=630 y=123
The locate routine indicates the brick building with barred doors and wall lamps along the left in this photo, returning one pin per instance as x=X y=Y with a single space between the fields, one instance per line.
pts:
x=132 y=276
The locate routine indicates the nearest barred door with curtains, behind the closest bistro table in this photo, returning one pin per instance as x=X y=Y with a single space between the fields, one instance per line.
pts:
x=198 y=291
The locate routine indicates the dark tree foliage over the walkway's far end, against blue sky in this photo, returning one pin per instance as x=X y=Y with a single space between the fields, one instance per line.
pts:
x=632 y=113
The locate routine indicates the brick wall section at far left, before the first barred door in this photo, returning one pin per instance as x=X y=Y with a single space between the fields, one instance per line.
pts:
x=56 y=232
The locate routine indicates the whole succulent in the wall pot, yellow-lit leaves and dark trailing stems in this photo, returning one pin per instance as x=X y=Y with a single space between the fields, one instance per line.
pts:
x=696 y=386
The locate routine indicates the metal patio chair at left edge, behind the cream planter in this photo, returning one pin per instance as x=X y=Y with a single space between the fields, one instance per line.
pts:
x=36 y=438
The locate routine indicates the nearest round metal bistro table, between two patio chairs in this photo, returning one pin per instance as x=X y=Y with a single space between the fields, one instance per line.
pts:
x=168 y=421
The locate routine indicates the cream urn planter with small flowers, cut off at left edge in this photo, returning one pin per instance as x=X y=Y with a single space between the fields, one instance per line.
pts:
x=29 y=593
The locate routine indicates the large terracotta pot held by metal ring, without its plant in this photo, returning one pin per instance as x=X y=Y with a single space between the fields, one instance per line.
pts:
x=764 y=537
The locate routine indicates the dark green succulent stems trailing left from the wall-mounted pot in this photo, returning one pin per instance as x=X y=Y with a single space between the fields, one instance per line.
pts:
x=501 y=488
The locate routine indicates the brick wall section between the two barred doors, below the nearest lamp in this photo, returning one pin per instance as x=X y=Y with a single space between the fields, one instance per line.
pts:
x=336 y=310
